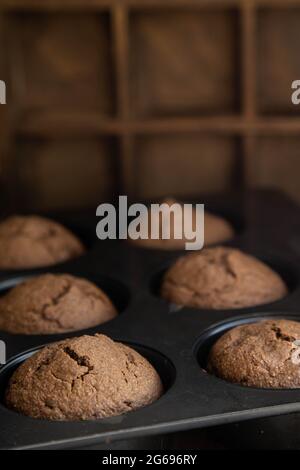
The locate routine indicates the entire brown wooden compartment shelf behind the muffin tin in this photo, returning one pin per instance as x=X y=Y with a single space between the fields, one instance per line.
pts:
x=146 y=97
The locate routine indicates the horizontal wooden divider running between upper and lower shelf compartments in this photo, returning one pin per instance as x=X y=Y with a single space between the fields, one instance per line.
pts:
x=58 y=125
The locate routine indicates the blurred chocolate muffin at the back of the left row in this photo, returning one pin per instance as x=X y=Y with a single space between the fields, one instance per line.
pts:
x=32 y=241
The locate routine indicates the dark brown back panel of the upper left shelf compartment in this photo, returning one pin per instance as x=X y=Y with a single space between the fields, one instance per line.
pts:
x=55 y=68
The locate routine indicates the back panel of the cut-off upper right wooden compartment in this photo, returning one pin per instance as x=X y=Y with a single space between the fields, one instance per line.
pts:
x=278 y=60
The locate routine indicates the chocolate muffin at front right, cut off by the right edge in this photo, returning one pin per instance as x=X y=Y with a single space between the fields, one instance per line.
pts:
x=264 y=354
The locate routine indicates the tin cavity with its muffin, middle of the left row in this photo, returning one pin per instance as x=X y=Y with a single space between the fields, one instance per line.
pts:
x=72 y=307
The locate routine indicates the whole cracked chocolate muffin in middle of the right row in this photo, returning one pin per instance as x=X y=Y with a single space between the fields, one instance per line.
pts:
x=221 y=278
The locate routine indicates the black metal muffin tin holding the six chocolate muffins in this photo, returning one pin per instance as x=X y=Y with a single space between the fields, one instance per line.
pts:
x=176 y=341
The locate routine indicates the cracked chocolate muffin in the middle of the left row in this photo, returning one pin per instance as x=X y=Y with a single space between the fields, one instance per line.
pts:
x=54 y=303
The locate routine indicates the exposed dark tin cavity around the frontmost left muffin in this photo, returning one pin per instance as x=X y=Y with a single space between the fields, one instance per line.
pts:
x=163 y=366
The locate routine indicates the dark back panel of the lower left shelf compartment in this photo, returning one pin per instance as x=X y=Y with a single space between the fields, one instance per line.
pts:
x=67 y=173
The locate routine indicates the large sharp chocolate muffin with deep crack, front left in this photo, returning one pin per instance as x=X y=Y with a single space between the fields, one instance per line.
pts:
x=89 y=377
